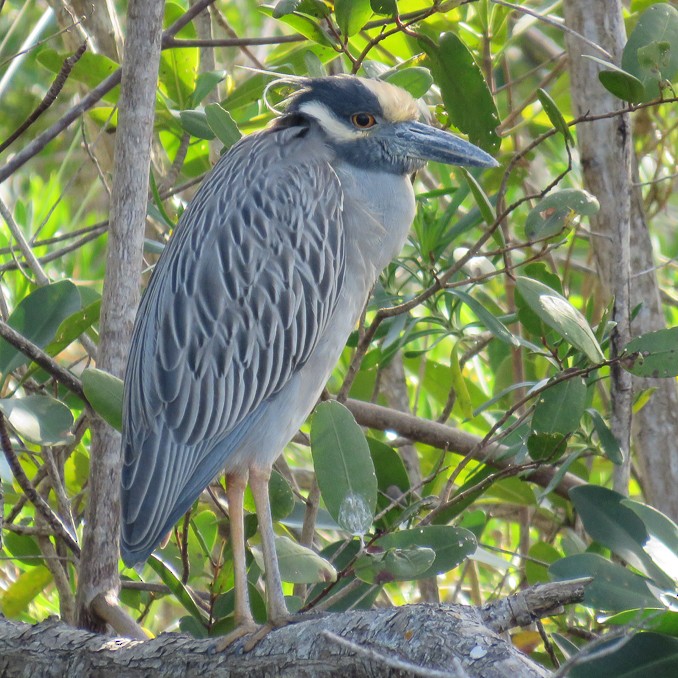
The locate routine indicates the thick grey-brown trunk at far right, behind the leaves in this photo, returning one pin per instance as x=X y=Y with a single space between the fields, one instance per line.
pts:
x=622 y=246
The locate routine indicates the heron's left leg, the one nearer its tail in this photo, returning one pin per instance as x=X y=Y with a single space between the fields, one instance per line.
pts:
x=235 y=490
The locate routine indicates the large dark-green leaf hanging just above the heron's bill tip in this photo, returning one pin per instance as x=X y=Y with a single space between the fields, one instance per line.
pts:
x=464 y=91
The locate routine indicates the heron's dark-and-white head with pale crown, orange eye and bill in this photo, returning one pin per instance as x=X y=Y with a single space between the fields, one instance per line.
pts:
x=373 y=124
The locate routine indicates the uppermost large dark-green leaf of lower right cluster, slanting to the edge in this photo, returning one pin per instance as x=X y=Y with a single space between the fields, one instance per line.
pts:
x=616 y=526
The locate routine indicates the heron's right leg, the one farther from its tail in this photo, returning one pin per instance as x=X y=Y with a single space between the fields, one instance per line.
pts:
x=275 y=601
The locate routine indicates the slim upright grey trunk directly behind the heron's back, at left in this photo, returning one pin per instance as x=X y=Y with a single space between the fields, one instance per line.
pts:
x=99 y=562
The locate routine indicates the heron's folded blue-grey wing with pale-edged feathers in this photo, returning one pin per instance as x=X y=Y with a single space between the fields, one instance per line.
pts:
x=234 y=309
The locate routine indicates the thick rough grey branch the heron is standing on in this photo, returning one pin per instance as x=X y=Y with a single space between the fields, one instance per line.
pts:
x=433 y=640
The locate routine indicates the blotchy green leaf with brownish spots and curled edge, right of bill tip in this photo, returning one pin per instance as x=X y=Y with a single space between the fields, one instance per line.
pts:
x=557 y=211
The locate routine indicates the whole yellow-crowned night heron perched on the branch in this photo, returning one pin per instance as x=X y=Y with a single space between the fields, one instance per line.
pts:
x=254 y=297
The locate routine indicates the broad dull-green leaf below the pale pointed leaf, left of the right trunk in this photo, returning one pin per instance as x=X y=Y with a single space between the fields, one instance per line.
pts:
x=560 y=407
